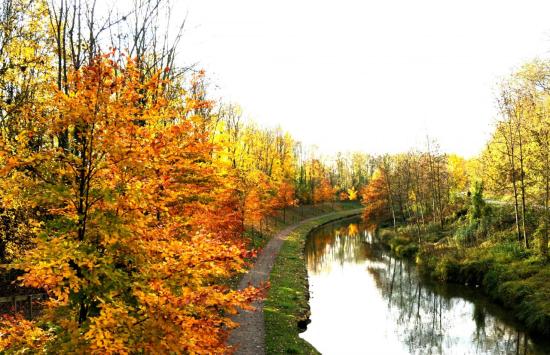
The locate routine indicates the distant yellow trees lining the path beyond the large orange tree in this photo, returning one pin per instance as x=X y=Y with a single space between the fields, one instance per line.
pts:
x=275 y=171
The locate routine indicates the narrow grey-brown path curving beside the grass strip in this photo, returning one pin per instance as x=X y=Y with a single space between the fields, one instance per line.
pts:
x=249 y=337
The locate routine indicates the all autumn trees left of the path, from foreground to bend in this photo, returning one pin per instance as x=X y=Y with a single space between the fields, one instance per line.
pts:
x=125 y=190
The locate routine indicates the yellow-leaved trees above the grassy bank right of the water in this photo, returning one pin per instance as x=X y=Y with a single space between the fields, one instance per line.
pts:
x=511 y=176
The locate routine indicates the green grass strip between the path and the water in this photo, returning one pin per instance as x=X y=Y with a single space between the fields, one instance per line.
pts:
x=286 y=308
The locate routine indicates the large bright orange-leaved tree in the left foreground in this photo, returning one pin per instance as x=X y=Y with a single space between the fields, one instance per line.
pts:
x=125 y=248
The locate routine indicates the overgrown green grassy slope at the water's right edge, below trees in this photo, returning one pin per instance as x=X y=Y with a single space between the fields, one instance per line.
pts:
x=515 y=278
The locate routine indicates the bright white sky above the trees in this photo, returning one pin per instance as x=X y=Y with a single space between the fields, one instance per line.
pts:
x=372 y=76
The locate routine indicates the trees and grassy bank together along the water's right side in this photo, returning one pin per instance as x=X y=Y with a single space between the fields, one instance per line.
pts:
x=484 y=221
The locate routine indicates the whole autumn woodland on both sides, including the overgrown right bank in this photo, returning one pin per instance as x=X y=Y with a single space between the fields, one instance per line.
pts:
x=129 y=196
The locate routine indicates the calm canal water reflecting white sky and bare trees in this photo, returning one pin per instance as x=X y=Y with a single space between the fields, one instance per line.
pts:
x=364 y=301
